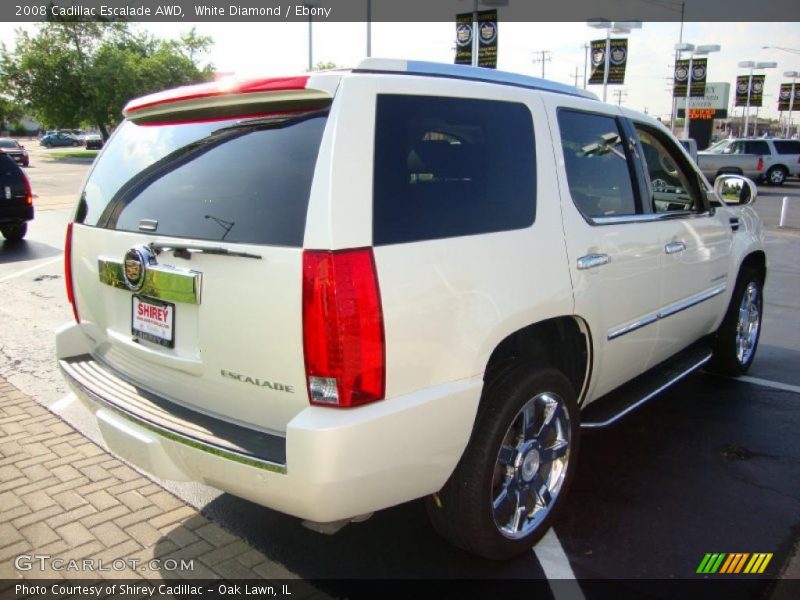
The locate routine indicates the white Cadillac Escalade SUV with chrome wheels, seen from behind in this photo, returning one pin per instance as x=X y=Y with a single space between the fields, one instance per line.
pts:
x=334 y=293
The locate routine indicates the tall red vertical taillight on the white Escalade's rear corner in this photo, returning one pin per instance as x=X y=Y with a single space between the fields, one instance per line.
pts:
x=343 y=337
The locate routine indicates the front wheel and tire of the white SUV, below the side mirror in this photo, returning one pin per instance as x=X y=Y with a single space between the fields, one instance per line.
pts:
x=737 y=337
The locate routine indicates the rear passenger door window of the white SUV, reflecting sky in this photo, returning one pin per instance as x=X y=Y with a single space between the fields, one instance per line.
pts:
x=597 y=165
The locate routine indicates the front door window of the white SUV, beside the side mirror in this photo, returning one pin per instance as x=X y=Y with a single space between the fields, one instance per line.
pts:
x=673 y=186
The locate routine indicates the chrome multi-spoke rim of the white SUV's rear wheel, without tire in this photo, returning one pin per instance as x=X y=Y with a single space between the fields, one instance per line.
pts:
x=531 y=465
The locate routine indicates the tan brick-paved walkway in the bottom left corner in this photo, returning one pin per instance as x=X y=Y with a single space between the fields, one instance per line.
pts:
x=63 y=496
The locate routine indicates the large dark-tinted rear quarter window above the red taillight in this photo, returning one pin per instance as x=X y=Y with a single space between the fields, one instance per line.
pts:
x=448 y=167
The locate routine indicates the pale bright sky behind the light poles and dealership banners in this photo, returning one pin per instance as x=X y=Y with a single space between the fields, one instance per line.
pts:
x=282 y=48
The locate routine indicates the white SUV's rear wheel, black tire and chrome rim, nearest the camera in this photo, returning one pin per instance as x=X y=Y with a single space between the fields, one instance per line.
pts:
x=505 y=491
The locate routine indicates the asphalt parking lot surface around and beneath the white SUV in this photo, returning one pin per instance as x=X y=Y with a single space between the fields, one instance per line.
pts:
x=711 y=465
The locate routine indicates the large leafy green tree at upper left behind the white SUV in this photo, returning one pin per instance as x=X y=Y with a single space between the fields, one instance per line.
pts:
x=70 y=73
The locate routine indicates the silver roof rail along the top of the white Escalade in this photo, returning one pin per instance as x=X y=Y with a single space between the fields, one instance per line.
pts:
x=431 y=69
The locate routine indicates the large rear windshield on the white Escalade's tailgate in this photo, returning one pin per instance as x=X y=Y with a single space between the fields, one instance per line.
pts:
x=234 y=181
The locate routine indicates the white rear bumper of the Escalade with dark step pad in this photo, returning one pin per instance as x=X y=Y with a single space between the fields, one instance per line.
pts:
x=332 y=464
